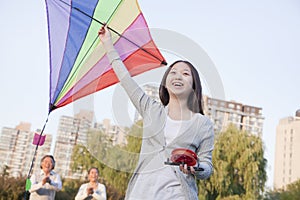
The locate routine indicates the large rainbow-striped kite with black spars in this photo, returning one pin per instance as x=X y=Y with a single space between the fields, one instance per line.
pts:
x=78 y=64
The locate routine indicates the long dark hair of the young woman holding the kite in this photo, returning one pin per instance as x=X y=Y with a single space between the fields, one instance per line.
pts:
x=195 y=99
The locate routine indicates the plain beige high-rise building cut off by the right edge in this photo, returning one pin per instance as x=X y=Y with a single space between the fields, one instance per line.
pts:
x=287 y=151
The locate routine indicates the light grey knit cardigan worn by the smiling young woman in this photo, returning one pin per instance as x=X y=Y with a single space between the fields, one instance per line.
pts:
x=198 y=137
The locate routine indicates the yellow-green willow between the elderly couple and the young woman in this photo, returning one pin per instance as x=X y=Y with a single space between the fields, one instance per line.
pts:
x=115 y=163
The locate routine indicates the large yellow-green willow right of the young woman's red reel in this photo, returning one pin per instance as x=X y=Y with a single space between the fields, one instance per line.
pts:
x=239 y=167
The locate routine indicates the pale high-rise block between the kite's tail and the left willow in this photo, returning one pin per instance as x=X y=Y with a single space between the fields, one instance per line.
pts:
x=75 y=130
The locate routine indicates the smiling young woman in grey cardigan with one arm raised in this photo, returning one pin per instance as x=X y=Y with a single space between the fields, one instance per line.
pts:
x=175 y=124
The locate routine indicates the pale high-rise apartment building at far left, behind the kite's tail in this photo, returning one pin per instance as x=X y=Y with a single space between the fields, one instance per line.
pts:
x=17 y=150
